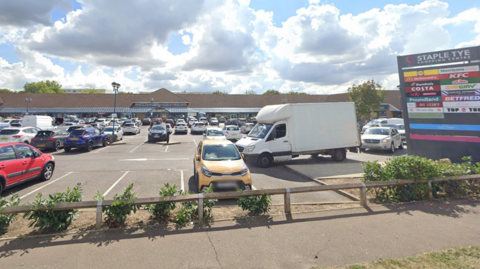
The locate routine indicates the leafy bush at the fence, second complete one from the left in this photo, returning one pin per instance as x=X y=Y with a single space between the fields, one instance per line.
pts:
x=122 y=206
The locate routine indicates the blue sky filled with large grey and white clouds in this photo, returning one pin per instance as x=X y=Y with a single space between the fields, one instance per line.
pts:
x=310 y=46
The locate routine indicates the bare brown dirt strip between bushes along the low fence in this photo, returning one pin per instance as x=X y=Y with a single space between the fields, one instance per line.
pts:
x=87 y=218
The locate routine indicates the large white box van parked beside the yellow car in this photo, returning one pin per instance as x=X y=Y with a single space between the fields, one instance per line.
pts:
x=286 y=131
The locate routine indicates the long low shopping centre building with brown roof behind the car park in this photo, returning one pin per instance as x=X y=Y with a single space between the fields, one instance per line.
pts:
x=163 y=103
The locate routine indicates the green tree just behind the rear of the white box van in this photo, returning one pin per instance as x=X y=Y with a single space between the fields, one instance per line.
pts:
x=367 y=97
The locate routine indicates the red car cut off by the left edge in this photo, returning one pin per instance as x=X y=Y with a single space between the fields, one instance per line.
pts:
x=21 y=162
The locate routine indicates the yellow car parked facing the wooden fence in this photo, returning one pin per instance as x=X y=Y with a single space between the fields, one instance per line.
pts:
x=218 y=163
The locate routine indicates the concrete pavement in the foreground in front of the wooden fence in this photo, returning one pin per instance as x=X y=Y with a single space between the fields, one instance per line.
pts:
x=328 y=238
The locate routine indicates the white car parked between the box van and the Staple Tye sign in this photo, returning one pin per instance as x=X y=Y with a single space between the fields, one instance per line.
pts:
x=384 y=138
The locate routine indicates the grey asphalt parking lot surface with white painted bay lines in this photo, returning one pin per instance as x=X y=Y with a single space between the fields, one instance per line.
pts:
x=150 y=165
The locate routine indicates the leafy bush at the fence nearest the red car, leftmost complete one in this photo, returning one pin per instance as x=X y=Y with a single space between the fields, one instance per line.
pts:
x=54 y=220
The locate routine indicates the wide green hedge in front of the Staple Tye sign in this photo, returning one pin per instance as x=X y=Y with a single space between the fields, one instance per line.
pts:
x=420 y=169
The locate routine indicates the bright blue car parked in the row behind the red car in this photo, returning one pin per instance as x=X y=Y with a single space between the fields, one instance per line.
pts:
x=86 y=139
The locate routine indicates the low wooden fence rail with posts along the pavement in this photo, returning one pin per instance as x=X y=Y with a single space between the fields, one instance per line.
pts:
x=230 y=195
